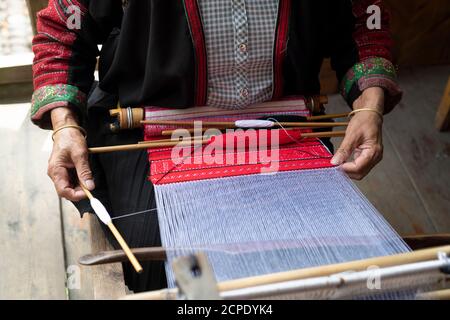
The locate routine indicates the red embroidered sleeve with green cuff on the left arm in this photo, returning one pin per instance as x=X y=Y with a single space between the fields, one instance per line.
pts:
x=65 y=56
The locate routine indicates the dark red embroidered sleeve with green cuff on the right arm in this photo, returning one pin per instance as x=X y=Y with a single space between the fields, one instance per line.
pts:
x=374 y=46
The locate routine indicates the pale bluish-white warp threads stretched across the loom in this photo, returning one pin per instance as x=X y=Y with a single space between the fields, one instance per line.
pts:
x=262 y=224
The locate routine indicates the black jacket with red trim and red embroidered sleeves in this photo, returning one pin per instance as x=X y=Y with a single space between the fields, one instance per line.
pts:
x=153 y=52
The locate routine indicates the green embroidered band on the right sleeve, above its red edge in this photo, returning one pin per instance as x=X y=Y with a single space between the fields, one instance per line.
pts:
x=371 y=67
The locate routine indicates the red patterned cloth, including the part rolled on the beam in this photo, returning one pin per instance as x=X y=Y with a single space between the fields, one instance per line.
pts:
x=167 y=166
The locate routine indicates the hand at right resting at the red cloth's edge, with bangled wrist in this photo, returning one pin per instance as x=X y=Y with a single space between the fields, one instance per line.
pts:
x=363 y=137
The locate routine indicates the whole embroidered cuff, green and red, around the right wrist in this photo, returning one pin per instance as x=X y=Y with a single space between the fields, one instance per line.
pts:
x=372 y=72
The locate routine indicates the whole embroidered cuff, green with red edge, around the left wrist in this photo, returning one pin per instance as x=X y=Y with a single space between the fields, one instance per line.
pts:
x=53 y=96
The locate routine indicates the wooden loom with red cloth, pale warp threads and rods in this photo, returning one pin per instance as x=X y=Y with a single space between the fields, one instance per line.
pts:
x=268 y=213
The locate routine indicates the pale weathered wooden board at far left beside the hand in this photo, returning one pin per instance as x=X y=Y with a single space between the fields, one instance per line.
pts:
x=32 y=262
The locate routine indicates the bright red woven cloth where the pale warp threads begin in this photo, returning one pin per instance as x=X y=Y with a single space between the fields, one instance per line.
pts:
x=169 y=165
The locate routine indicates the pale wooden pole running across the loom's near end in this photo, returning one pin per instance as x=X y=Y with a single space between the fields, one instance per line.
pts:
x=321 y=271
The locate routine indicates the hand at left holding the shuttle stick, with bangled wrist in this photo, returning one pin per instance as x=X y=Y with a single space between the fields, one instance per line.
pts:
x=68 y=163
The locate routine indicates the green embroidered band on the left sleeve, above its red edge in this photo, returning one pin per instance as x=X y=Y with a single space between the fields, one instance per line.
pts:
x=48 y=95
